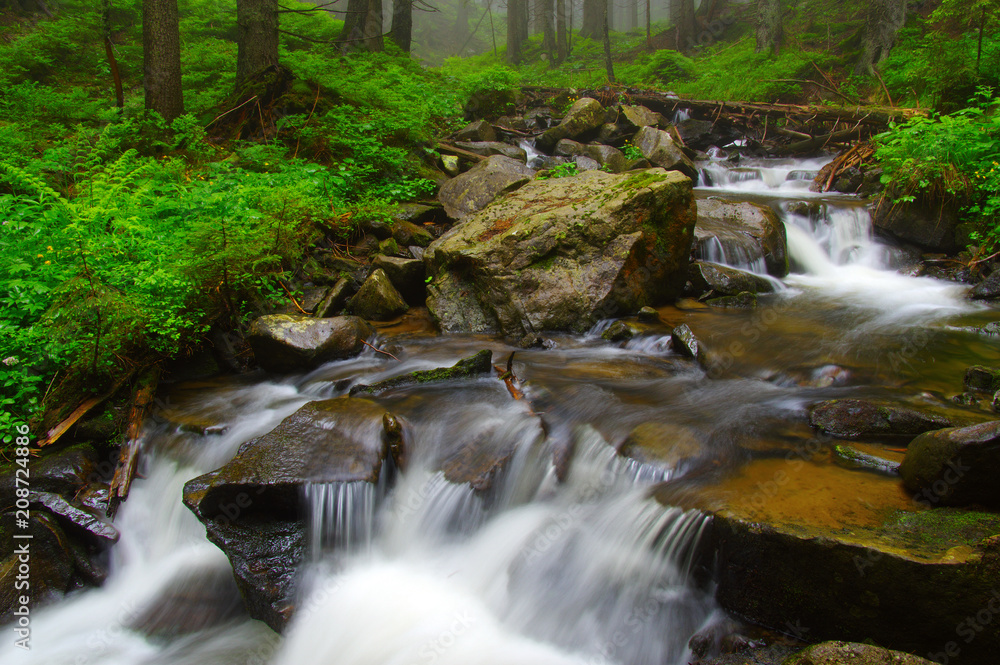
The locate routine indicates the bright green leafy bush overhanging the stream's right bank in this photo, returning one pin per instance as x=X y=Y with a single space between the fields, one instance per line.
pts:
x=950 y=156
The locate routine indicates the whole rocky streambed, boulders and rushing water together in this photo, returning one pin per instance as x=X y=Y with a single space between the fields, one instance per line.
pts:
x=611 y=415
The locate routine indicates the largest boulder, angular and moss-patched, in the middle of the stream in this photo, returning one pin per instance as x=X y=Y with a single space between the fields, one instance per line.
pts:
x=561 y=254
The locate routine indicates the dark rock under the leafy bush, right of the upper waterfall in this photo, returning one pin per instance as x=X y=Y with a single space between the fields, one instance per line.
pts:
x=923 y=223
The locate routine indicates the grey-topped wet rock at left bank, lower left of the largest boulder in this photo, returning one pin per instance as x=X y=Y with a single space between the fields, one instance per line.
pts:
x=286 y=343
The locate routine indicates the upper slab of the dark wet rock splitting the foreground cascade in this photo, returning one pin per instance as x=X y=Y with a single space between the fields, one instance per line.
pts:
x=330 y=441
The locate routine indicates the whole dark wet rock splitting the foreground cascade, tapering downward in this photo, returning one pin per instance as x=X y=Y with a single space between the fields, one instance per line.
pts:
x=252 y=506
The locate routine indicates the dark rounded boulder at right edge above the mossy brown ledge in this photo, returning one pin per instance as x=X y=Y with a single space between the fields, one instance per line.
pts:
x=955 y=467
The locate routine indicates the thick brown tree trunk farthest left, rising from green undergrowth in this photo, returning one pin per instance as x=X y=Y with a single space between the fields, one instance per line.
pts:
x=161 y=58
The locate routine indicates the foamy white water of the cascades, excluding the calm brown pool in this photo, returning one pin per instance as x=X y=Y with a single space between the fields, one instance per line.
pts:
x=588 y=570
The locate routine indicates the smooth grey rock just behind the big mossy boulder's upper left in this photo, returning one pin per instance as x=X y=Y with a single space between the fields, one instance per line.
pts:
x=476 y=188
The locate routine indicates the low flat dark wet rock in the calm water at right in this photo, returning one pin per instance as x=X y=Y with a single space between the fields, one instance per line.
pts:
x=857 y=418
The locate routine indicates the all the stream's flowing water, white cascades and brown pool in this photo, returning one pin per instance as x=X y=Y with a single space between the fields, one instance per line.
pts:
x=566 y=559
